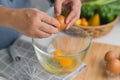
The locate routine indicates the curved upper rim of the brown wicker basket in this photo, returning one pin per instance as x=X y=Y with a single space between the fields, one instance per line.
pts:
x=101 y=26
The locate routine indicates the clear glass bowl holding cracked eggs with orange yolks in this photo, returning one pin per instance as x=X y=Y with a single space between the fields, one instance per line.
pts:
x=64 y=52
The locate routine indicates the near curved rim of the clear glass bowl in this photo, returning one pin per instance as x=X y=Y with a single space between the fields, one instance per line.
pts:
x=79 y=53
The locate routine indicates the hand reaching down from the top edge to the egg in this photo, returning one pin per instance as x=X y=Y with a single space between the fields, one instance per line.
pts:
x=73 y=5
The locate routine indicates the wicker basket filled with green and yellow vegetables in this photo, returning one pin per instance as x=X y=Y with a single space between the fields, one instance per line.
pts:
x=105 y=27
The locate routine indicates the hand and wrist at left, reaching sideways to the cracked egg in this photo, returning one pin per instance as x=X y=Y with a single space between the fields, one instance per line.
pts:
x=33 y=22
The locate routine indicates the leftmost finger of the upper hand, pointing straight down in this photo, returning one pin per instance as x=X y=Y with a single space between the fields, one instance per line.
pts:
x=58 y=7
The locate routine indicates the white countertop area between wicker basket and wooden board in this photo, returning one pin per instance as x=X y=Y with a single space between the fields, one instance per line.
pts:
x=112 y=38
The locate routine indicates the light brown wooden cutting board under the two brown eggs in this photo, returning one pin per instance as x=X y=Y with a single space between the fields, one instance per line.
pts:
x=95 y=63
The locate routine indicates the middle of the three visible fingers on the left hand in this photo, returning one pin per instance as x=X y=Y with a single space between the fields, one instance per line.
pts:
x=48 y=28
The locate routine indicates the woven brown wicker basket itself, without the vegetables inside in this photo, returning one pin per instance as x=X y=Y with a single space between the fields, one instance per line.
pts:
x=98 y=31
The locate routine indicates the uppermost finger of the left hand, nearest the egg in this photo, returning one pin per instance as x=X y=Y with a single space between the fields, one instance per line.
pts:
x=50 y=20
